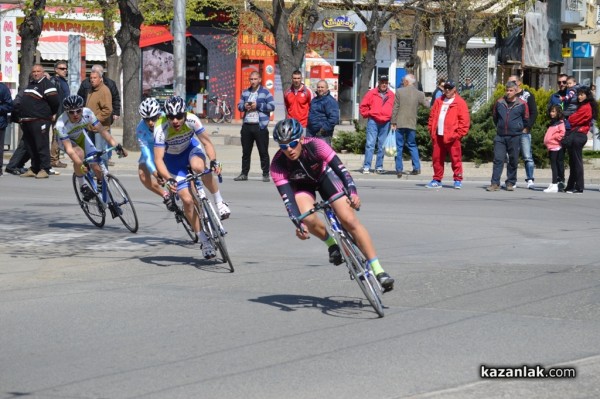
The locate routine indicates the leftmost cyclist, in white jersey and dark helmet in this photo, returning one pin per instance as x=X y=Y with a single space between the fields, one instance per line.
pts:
x=70 y=128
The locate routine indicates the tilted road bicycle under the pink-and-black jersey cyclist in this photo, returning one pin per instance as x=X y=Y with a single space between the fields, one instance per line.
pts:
x=358 y=266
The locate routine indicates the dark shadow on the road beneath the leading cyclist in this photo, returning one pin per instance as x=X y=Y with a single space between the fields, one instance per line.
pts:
x=332 y=306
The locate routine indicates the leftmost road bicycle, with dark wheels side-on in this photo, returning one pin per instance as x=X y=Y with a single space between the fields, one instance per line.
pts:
x=110 y=194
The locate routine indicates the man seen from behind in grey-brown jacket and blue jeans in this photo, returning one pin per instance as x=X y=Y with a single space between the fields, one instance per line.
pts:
x=404 y=122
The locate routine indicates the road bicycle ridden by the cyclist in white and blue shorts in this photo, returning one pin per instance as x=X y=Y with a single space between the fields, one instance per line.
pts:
x=210 y=222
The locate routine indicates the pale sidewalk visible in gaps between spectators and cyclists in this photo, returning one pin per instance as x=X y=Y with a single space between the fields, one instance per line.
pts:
x=226 y=138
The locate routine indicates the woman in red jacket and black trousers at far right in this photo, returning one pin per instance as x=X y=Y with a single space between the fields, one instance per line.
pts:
x=581 y=122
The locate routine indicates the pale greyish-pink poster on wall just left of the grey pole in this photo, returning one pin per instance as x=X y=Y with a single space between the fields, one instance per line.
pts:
x=158 y=69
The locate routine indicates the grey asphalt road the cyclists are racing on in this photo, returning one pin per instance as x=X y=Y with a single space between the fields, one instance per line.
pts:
x=496 y=279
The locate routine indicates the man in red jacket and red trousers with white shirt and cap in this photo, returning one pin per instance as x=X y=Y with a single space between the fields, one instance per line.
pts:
x=448 y=123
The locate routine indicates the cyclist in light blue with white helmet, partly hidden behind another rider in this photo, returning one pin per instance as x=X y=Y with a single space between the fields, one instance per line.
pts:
x=150 y=111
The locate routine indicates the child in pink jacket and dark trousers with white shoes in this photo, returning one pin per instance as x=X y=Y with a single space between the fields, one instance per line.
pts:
x=556 y=153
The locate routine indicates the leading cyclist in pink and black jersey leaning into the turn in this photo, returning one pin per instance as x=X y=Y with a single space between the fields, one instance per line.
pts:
x=305 y=165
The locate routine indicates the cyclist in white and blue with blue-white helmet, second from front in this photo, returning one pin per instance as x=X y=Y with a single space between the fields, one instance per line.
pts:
x=180 y=144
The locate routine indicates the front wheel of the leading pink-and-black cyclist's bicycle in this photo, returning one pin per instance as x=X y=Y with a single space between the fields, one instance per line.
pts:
x=357 y=264
